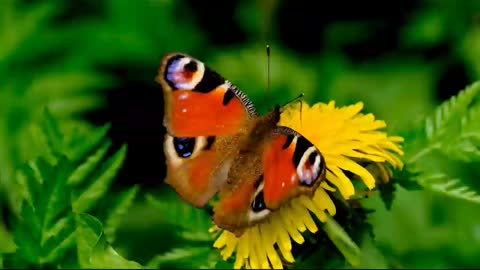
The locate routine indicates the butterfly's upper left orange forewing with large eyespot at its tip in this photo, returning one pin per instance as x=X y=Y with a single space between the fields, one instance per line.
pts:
x=198 y=101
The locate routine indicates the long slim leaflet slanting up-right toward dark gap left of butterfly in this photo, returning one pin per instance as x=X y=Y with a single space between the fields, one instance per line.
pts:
x=101 y=183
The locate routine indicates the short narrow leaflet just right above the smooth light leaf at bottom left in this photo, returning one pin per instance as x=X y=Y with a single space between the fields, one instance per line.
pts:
x=118 y=211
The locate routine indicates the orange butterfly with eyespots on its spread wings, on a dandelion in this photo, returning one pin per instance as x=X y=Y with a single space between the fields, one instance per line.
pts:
x=216 y=144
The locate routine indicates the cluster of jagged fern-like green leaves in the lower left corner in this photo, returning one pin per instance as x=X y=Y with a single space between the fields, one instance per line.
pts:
x=48 y=228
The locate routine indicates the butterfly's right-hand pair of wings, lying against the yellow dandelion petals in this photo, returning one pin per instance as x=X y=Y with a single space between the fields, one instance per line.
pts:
x=290 y=166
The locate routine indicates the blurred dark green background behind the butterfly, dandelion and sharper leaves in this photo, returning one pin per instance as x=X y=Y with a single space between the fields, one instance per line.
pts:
x=93 y=62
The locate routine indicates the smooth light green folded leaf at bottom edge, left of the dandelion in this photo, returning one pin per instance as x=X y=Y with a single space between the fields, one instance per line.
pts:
x=93 y=248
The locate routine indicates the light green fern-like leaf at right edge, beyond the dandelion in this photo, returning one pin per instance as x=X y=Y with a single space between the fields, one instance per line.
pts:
x=454 y=131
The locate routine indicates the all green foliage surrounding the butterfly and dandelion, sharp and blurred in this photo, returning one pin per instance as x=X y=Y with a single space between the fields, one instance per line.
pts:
x=57 y=169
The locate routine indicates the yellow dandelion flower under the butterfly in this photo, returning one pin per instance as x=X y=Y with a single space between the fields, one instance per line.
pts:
x=344 y=136
